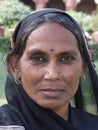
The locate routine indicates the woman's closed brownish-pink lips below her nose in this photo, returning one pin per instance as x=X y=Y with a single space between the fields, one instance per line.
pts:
x=52 y=93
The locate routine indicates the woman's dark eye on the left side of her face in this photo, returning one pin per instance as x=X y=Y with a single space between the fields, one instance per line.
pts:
x=39 y=59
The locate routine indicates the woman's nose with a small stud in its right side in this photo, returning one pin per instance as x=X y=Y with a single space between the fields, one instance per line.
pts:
x=53 y=72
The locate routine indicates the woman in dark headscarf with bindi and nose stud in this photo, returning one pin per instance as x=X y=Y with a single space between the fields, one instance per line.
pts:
x=48 y=59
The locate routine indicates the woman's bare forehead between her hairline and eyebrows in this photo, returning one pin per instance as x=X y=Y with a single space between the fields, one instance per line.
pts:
x=51 y=36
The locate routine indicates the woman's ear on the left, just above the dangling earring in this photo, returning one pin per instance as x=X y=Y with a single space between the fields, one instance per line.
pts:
x=14 y=66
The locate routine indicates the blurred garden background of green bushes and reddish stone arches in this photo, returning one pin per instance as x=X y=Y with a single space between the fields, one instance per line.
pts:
x=11 y=11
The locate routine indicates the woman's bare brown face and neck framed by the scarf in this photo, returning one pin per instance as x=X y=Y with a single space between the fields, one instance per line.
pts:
x=51 y=49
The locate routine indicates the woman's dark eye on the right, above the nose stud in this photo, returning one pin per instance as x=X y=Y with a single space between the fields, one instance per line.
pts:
x=65 y=59
